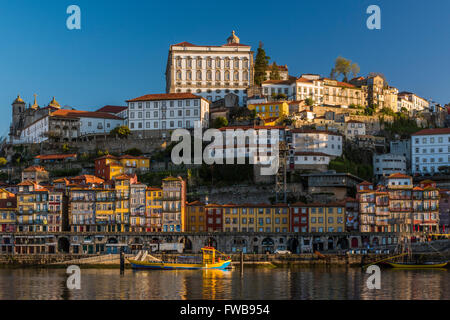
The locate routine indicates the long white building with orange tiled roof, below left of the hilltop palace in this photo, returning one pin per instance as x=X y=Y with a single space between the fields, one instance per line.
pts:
x=167 y=112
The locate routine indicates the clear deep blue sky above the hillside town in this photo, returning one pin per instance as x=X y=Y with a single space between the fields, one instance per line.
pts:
x=121 y=50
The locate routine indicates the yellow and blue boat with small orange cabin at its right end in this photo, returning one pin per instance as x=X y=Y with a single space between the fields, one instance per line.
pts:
x=211 y=259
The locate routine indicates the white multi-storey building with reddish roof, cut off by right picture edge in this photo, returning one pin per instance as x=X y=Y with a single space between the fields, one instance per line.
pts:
x=430 y=149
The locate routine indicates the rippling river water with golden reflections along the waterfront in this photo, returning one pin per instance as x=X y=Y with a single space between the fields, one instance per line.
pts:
x=253 y=283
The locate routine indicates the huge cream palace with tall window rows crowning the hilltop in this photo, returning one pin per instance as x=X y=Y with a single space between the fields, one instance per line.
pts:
x=210 y=71
